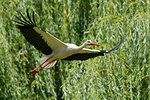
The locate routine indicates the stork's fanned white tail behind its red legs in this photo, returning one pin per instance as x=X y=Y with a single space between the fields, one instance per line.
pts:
x=47 y=61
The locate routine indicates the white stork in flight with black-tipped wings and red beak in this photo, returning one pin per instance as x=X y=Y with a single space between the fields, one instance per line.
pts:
x=54 y=48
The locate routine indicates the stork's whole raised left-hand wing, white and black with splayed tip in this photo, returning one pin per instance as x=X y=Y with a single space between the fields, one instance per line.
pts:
x=40 y=39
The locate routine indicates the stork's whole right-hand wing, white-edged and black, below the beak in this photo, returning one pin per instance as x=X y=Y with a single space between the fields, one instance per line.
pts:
x=88 y=53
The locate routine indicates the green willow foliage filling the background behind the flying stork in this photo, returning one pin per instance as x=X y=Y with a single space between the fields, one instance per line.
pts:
x=123 y=74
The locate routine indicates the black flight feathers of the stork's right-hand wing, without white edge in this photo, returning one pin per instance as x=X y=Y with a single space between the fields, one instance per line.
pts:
x=85 y=56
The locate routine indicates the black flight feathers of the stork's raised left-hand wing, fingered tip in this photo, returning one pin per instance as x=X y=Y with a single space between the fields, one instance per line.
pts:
x=26 y=28
